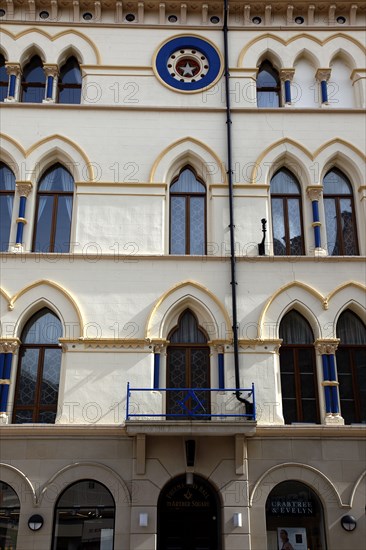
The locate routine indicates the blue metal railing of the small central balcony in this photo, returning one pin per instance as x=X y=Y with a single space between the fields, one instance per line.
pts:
x=191 y=404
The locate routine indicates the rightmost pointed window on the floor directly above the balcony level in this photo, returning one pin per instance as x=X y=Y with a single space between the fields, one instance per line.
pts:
x=339 y=214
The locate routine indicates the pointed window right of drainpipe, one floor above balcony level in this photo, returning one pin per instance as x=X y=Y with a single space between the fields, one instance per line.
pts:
x=286 y=214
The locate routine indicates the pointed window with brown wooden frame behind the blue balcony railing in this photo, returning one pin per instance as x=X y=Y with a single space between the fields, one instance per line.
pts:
x=188 y=366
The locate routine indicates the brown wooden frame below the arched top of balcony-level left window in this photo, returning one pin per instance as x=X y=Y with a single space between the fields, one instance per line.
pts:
x=37 y=407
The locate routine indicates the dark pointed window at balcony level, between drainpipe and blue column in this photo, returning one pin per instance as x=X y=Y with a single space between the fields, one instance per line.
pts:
x=298 y=370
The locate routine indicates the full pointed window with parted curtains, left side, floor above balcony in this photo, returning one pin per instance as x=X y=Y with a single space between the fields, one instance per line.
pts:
x=54 y=211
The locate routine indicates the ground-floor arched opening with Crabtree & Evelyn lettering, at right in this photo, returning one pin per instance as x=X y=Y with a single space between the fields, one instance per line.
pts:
x=295 y=518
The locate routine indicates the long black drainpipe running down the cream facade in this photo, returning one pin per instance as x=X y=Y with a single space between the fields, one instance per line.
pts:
x=231 y=208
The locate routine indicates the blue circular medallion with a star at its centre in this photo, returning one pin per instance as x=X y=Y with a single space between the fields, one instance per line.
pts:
x=188 y=63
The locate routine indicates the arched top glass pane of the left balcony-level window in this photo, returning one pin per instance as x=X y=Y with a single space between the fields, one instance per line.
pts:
x=43 y=328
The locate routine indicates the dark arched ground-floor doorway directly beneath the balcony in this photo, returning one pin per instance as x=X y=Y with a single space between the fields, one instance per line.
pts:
x=189 y=516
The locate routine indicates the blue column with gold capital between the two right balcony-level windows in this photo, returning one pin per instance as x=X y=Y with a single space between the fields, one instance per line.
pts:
x=326 y=349
